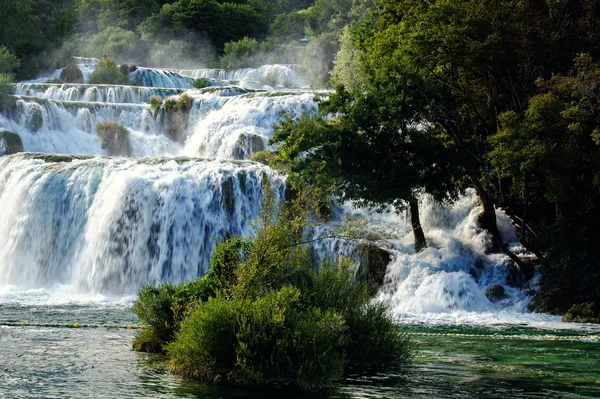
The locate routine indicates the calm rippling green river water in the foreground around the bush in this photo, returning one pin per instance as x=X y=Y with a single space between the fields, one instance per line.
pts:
x=42 y=362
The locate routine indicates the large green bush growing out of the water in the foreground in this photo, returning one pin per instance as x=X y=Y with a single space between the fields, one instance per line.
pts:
x=270 y=316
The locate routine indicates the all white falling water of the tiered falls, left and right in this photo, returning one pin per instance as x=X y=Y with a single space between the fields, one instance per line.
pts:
x=111 y=225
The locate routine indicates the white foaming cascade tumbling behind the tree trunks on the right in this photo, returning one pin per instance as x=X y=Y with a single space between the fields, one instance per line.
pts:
x=445 y=282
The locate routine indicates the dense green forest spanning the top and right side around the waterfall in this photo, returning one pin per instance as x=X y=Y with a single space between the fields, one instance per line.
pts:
x=430 y=97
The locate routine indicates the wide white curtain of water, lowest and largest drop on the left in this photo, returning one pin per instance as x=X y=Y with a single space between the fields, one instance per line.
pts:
x=108 y=226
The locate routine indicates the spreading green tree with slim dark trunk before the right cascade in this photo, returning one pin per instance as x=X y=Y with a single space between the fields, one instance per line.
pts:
x=373 y=151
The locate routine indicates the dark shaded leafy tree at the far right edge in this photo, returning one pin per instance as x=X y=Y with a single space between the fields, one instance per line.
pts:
x=551 y=155
